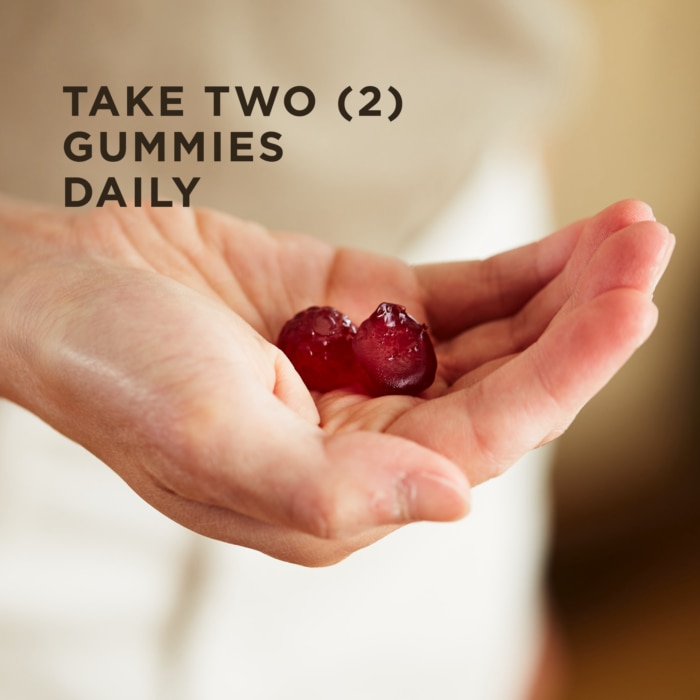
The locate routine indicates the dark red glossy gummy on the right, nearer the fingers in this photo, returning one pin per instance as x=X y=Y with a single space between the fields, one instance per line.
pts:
x=395 y=352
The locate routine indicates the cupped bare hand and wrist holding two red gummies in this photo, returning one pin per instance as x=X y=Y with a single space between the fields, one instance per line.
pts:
x=147 y=336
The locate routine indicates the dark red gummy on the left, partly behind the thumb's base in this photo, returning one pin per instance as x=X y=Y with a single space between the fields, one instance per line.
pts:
x=318 y=341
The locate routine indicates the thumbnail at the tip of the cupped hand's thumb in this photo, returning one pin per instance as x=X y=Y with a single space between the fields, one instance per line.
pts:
x=430 y=496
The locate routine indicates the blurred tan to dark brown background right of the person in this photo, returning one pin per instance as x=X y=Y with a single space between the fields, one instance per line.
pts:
x=625 y=568
